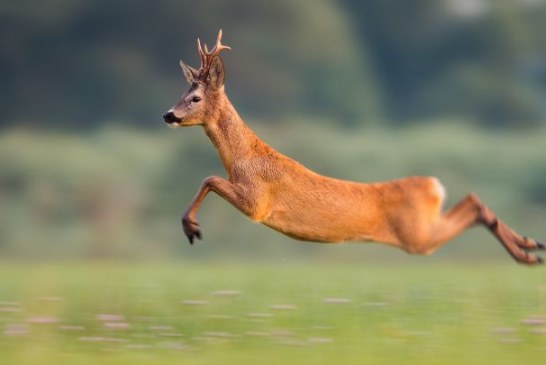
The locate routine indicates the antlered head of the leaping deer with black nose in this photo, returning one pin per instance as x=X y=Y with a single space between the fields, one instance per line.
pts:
x=206 y=90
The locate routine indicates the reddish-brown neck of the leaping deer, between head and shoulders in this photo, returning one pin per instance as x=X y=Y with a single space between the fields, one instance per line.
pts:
x=231 y=137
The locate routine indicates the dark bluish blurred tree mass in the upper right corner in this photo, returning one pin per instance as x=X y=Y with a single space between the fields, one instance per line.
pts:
x=478 y=59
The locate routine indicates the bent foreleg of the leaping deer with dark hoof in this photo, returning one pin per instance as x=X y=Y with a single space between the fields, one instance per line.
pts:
x=222 y=187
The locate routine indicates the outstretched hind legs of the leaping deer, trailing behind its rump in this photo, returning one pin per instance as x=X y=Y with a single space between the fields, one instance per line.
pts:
x=471 y=211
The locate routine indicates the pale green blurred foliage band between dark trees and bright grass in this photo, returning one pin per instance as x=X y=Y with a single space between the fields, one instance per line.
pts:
x=121 y=193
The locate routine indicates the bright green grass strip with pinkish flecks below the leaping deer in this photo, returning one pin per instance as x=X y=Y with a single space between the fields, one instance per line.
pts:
x=242 y=313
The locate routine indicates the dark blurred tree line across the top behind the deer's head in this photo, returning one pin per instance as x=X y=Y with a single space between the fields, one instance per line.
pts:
x=82 y=63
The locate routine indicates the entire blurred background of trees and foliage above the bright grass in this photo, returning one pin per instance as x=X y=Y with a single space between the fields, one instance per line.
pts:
x=361 y=90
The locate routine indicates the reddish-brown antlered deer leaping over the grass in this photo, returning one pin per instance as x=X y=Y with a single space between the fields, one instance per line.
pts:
x=279 y=192
